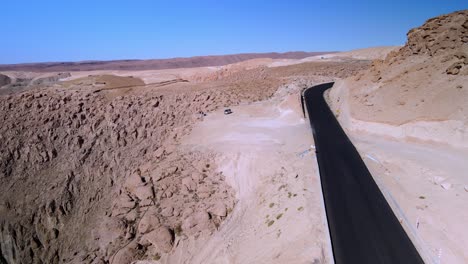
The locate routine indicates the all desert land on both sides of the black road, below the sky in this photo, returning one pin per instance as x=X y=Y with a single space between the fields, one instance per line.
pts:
x=136 y=162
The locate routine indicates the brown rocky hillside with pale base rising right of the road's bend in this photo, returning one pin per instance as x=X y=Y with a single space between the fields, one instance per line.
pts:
x=419 y=91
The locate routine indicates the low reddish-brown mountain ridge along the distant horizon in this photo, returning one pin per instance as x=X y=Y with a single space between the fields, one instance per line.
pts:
x=154 y=64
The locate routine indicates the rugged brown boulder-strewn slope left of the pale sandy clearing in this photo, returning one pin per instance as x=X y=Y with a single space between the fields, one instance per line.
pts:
x=67 y=155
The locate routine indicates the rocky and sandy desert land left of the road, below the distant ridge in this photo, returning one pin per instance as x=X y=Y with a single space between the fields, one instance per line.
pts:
x=123 y=166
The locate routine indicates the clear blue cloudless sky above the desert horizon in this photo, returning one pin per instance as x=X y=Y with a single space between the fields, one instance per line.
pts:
x=37 y=31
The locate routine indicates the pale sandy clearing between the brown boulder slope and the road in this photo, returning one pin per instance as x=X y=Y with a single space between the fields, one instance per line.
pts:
x=279 y=217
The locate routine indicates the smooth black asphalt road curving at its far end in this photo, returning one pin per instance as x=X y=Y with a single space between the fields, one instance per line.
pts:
x=362 y=225
